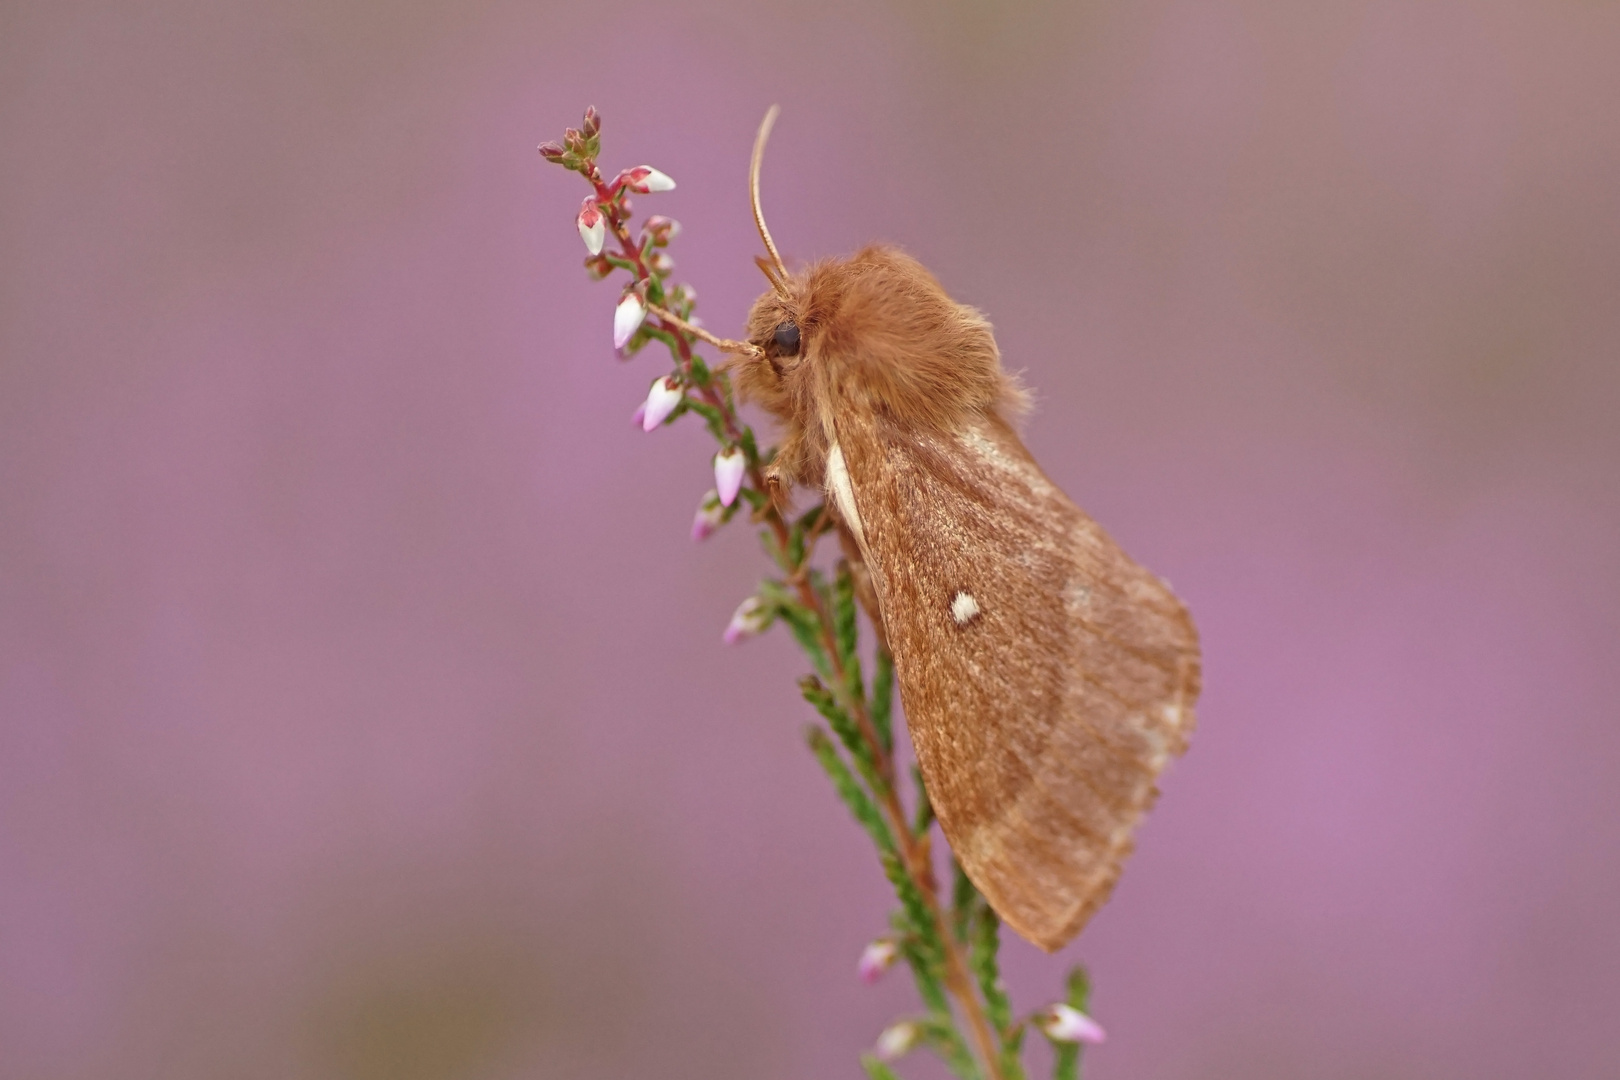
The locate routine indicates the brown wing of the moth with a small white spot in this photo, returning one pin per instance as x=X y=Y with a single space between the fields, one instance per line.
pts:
x=1046 y=676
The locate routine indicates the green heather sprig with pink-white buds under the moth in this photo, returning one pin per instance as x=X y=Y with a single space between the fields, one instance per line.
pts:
x=950 y=943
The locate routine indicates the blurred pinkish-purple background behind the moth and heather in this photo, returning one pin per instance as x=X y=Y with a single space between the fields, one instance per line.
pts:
x=362 y=700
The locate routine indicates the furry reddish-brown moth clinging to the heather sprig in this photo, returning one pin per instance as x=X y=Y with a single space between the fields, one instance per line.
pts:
x=1046 y=676
